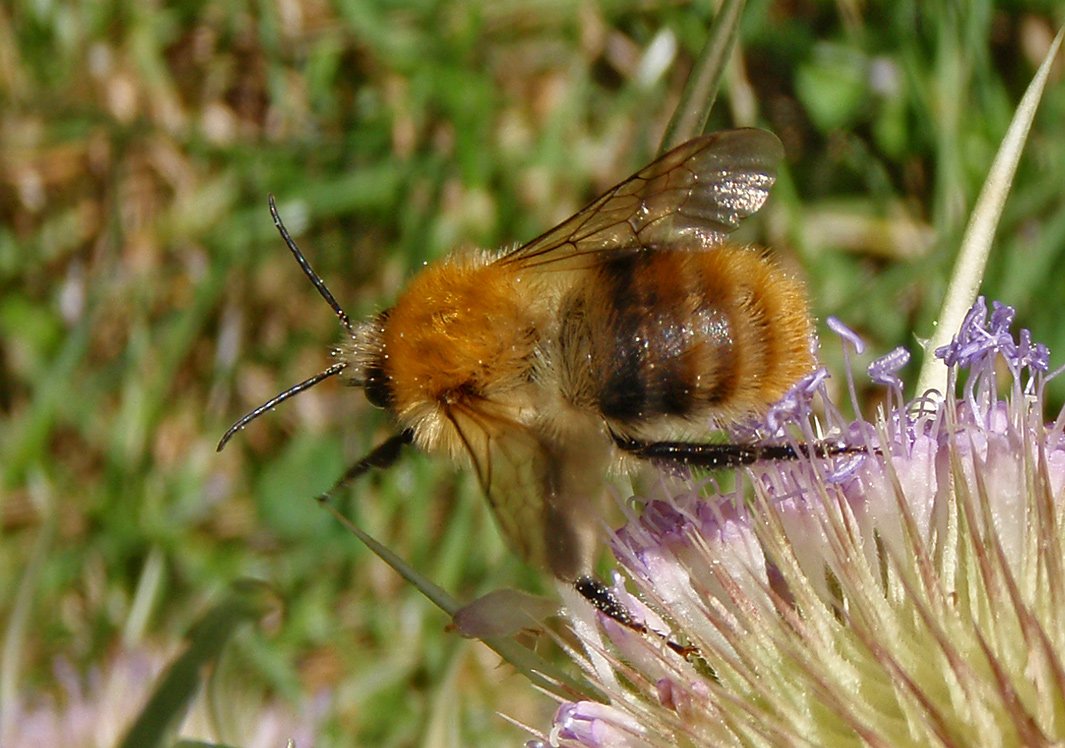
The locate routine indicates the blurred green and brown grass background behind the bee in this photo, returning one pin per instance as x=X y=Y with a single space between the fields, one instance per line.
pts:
x=148 y=301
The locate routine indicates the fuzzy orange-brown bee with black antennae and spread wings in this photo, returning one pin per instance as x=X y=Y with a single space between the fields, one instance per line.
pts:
x=622 y=335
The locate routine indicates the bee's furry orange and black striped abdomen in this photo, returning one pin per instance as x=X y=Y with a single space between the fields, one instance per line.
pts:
x=662 y=334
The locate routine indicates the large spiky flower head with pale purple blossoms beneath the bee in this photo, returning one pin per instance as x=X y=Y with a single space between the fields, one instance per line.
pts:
x=913 y=595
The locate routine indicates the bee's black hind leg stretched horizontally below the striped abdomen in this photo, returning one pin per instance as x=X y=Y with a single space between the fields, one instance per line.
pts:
x=715 y=457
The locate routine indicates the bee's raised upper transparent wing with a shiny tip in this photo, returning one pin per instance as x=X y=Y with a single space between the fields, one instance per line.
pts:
x=690 y=199
